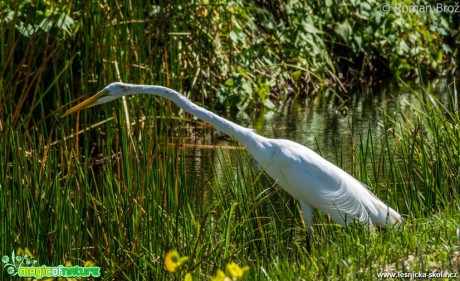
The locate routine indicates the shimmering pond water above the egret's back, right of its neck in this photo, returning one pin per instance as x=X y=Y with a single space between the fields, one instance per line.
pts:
x=326 y=129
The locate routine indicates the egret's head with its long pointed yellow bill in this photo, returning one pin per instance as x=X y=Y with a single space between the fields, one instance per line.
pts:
x=111 y=92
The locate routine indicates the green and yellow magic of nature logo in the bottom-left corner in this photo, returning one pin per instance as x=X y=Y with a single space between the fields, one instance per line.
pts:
x=25 y=266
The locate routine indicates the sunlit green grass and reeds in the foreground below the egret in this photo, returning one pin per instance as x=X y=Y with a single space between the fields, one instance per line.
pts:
x=124 y=201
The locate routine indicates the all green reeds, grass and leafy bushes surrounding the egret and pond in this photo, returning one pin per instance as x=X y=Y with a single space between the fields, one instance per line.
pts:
x=103 y=187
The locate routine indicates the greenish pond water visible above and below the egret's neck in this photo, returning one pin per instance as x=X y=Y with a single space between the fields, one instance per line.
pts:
x=325 y=129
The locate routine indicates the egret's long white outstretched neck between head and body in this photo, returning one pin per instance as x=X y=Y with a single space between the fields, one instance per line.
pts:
x=244 y=135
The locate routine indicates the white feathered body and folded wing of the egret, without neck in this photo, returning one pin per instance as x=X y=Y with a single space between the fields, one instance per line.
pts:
x=312 y=179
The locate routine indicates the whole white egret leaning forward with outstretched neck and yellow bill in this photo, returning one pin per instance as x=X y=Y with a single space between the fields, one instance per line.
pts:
x=311 y=179
